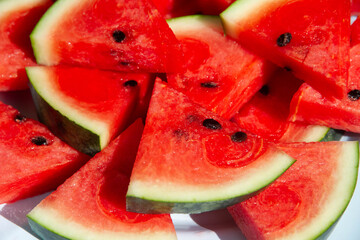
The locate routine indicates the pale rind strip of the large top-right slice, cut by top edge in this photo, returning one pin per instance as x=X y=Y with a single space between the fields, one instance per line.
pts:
x=242 y=14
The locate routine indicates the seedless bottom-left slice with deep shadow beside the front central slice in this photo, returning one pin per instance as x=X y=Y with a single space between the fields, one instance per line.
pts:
x=91 y=204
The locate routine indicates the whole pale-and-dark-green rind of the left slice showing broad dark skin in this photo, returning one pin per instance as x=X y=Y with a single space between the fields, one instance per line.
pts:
x=90 y=135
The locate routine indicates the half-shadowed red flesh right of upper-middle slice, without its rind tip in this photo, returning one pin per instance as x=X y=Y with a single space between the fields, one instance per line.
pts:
x=267 y=112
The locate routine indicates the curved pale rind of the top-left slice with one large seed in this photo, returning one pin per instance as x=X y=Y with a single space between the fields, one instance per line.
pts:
x=41 y=37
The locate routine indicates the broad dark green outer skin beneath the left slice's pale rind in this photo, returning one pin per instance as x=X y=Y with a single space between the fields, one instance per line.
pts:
x=70 y=132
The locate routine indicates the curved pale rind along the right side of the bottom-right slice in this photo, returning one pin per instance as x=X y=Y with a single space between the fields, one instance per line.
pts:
x=337 y=200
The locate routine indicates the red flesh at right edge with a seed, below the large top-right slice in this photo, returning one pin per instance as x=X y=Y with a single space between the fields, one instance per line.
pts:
x=311 y=107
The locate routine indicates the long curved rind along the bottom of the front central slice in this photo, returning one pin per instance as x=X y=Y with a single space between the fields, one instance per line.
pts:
x=154 y=197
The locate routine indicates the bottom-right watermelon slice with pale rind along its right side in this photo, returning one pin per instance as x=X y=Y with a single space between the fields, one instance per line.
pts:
x=308 y=198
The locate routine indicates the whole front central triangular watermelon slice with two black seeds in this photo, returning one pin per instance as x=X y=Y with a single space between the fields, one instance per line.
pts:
x=191 y=160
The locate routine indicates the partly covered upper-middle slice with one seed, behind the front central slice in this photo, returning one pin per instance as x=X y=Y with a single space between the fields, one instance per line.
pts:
x=221 y=75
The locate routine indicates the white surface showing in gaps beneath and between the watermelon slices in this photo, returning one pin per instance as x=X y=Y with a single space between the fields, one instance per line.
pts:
x=206 y=226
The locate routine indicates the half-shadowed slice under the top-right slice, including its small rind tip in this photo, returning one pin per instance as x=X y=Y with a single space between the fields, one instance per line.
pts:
x=266 y=115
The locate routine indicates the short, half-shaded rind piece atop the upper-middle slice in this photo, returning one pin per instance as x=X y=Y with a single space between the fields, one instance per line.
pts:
x=194 y=22
